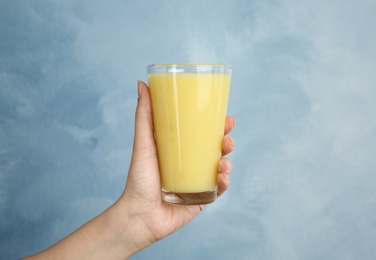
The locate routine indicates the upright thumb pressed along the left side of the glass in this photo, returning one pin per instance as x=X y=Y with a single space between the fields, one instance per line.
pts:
x=144 y=144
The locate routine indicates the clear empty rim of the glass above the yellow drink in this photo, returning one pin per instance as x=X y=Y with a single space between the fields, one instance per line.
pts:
x=189 y=67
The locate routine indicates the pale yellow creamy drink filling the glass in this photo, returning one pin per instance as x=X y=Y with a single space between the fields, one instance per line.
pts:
x=189 y=111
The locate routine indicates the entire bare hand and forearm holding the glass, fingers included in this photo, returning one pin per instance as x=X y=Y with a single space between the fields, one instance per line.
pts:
x=139 y=217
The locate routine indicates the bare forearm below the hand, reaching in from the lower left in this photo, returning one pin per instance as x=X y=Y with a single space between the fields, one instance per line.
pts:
x=114 y=234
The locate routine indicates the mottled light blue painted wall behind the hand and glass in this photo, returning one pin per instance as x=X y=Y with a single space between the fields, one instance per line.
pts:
x=303 y=93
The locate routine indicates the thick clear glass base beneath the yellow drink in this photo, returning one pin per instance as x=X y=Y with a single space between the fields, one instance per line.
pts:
x=189 y=198
